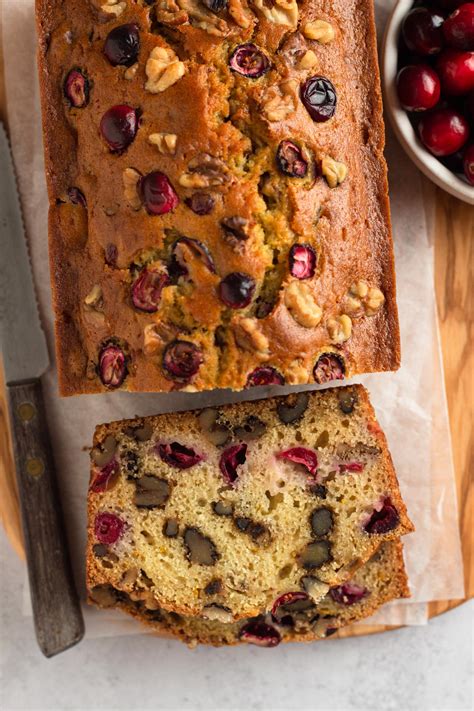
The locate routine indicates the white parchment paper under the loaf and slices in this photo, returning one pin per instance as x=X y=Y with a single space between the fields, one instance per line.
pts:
x=411 y=404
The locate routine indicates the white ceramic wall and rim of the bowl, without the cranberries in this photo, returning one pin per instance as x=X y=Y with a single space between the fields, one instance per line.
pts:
x=404 y=131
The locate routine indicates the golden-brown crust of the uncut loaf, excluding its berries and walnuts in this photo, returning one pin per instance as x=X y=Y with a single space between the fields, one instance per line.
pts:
x=352 y=237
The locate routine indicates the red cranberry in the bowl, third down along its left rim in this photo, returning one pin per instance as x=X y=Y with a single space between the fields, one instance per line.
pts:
x=443 y=131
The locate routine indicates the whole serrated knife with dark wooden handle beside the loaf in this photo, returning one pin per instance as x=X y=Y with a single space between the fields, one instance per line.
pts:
x=56 y=609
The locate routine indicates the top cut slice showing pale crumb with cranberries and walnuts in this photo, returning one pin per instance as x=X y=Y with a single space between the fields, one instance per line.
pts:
x=239 y=505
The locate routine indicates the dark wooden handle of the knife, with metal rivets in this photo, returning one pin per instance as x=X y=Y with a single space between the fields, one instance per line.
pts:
x=56 y=609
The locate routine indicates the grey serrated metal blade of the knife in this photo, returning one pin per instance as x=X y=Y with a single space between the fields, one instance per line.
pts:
x=22 y=339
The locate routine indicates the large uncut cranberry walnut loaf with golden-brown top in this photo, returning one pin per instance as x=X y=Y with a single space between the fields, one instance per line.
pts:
x=218 y=193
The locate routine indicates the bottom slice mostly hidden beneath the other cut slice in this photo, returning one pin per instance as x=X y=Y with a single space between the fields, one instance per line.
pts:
x=294 y=617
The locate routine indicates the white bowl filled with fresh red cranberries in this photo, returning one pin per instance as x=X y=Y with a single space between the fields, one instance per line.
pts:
x=428 y=76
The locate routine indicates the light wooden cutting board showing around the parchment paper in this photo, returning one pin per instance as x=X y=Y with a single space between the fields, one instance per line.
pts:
x=454 y=265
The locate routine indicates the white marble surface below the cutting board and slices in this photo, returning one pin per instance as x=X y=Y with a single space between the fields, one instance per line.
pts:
x=426 y=668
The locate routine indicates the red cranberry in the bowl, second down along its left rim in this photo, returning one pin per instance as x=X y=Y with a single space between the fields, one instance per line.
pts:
x=418 y=87
